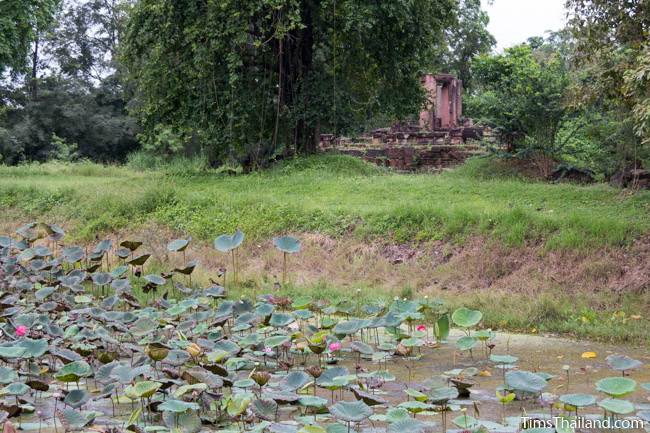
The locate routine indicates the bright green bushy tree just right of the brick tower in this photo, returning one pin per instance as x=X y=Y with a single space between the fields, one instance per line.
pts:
x=520 y=93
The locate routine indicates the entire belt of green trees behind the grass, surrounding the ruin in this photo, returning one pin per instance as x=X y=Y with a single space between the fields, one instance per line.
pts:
x=242 y=83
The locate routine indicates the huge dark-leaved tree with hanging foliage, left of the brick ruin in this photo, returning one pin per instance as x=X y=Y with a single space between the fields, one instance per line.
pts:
x=248 y=80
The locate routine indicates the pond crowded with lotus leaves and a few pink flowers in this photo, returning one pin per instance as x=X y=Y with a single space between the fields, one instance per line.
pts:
x=92 y=342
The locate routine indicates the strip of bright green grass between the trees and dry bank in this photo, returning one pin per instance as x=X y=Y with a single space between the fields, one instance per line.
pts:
x=333 y=195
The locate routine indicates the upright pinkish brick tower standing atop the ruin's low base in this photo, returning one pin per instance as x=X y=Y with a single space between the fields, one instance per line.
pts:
x=444 y=102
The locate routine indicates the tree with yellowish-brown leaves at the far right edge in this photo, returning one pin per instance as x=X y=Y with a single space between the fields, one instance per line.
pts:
x=612 y=57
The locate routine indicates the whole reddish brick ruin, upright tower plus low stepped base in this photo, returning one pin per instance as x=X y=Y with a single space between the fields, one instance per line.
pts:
x=441 y=138
